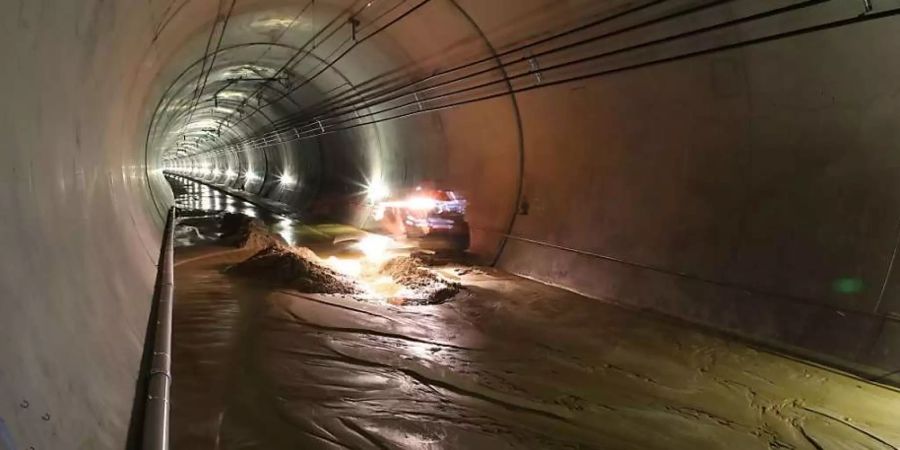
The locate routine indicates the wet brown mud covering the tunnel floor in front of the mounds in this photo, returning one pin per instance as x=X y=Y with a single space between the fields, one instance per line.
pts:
x=513 y=364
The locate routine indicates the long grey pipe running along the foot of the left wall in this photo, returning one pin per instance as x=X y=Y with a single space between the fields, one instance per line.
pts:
x=159 y=382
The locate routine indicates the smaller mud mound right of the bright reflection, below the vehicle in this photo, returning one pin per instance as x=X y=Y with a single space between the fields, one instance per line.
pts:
x=424 y=286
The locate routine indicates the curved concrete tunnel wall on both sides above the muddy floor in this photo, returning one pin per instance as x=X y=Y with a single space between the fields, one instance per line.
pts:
x=741 y=189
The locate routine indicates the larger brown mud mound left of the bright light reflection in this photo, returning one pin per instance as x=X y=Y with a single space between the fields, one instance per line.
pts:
x=295 y=268
